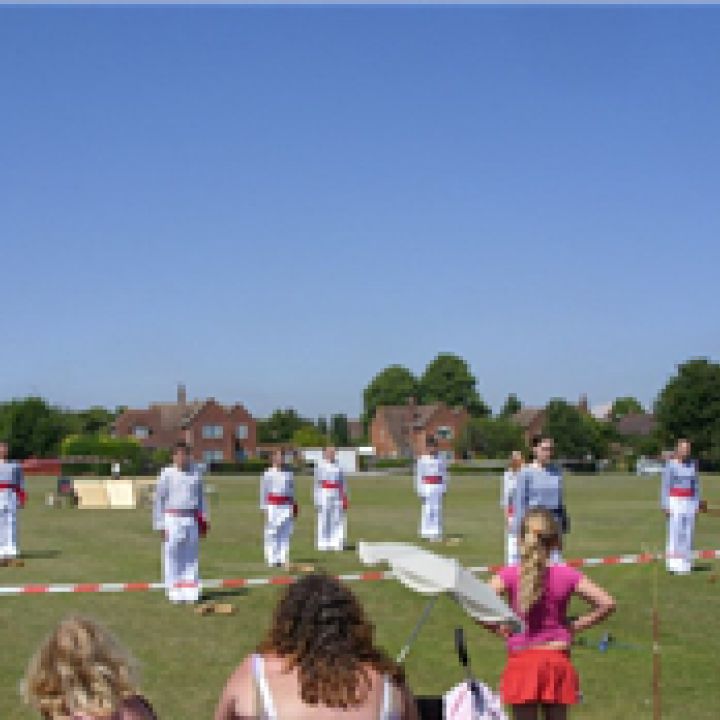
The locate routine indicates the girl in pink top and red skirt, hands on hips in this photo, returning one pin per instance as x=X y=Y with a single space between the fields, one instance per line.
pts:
x=539 y=680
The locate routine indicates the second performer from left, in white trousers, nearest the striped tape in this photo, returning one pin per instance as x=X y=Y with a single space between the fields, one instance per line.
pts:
x=179 y=514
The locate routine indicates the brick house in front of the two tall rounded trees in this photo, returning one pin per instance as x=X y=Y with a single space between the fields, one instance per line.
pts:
x=401 y=430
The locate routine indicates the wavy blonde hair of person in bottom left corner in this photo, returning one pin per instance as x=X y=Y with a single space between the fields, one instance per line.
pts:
x=80 y=668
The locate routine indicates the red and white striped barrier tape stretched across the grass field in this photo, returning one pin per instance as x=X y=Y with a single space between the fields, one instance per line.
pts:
x=36 y=589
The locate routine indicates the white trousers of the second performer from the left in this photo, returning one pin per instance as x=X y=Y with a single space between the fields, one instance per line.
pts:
x=181 y=558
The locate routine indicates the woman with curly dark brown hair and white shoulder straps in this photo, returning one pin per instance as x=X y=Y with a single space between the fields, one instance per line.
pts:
x=317 y=661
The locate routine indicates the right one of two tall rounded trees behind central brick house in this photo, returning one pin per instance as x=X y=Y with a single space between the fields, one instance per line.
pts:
x=448 y=379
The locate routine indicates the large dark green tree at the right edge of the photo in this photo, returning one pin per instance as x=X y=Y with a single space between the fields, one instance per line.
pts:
x=689 y=406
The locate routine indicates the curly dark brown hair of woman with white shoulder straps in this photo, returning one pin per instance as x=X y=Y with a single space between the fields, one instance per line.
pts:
x=320 y=628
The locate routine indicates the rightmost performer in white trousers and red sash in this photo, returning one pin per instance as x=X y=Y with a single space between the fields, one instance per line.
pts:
x=680 y=499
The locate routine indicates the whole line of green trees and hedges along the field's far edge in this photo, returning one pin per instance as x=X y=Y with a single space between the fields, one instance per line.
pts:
x=688 y=406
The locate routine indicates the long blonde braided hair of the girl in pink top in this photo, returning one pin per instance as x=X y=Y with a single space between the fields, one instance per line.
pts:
x=539 y=534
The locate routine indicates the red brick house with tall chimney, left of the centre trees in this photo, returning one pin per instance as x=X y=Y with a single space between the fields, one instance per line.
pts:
x=215 y=432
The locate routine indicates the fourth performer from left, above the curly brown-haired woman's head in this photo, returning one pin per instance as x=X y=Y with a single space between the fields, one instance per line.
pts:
x=331 y=502
